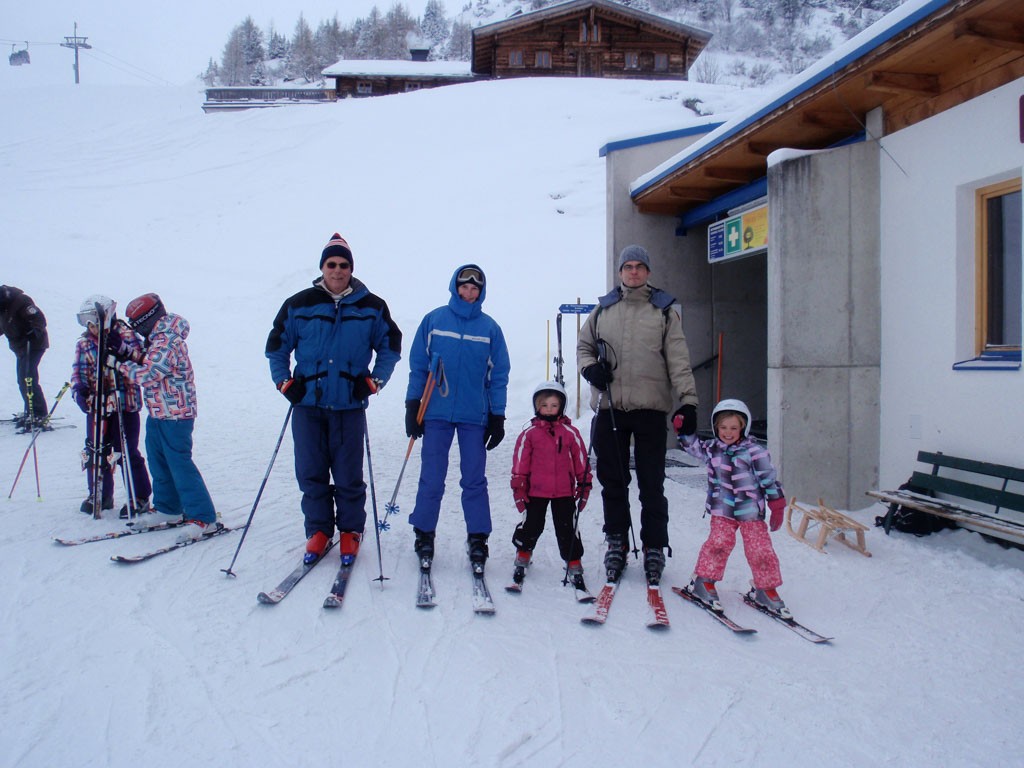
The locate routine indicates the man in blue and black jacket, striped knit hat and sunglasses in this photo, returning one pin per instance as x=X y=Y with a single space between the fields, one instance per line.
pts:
x=347 y=347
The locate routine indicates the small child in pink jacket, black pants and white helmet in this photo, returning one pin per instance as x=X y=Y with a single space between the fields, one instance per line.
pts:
x=550 y=464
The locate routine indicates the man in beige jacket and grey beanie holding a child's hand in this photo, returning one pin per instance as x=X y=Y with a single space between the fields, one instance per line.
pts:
x=633 y=353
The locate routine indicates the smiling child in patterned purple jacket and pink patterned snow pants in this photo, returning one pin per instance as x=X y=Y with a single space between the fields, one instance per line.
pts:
x=742 y=482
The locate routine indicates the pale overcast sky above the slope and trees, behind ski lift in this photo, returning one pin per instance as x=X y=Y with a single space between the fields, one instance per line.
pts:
x=140 y=44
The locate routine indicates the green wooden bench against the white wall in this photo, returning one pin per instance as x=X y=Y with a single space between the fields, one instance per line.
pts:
x=992 y=507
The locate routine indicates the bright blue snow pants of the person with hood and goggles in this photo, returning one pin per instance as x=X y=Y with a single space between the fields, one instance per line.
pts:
x=438 y=437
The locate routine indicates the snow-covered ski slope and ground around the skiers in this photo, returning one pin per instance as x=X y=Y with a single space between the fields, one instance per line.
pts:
x=172 y=663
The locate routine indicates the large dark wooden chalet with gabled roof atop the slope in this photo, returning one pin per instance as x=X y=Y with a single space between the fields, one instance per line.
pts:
x=587 y=38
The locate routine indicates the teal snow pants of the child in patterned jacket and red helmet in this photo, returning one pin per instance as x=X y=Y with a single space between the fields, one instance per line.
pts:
x=178 y=487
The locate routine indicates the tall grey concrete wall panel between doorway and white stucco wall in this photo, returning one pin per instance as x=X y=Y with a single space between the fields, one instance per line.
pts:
x=825 y=324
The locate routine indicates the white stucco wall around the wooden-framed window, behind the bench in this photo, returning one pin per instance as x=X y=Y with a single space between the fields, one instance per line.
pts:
x=927 y=270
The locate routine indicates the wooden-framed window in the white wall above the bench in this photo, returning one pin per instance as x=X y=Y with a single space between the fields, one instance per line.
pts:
x=999 y=254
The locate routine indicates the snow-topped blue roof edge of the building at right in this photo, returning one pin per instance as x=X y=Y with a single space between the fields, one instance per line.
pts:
x=882 y=31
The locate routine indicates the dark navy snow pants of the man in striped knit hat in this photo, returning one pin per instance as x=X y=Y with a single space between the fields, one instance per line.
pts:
x=330 y=444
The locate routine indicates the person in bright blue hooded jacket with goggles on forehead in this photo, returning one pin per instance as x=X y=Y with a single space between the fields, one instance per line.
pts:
x=465 y=351
